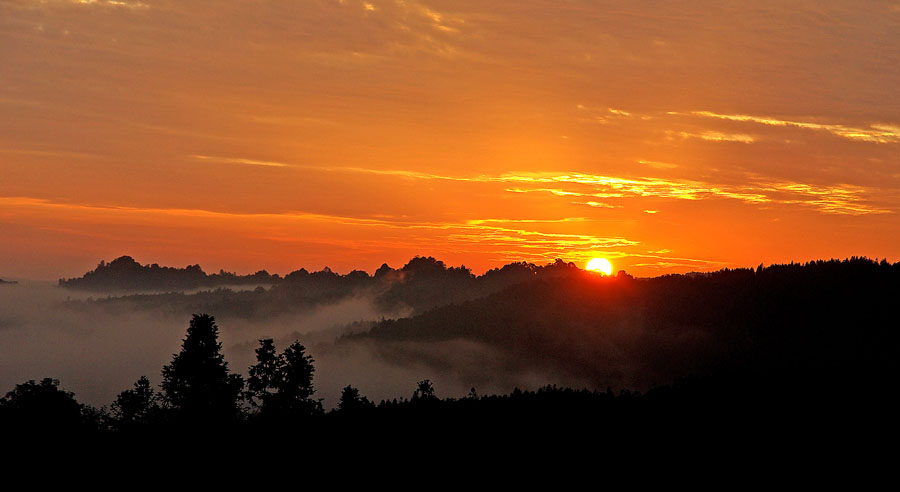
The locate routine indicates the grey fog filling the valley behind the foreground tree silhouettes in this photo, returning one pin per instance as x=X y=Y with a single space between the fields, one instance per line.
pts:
x=97 y=350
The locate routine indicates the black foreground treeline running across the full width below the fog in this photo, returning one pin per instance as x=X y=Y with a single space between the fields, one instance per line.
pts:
x=198 y=395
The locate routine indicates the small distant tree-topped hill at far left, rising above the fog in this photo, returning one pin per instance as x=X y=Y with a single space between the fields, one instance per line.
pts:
x=124 y=274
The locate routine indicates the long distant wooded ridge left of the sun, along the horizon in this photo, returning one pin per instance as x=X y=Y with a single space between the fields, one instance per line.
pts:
x=423 y=283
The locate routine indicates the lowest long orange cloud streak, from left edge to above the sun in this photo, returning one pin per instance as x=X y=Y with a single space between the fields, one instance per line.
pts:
x=514 y=239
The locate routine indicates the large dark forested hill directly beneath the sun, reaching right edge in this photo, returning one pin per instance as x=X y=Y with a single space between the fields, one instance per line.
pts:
x=824 y=319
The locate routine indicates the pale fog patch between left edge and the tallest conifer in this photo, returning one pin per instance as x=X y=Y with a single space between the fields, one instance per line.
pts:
x=93 y=353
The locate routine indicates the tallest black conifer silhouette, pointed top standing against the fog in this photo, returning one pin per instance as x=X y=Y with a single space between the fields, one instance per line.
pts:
x=197 y=384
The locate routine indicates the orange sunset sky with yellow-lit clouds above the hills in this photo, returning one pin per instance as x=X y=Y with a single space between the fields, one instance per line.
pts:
x=273 y=134
